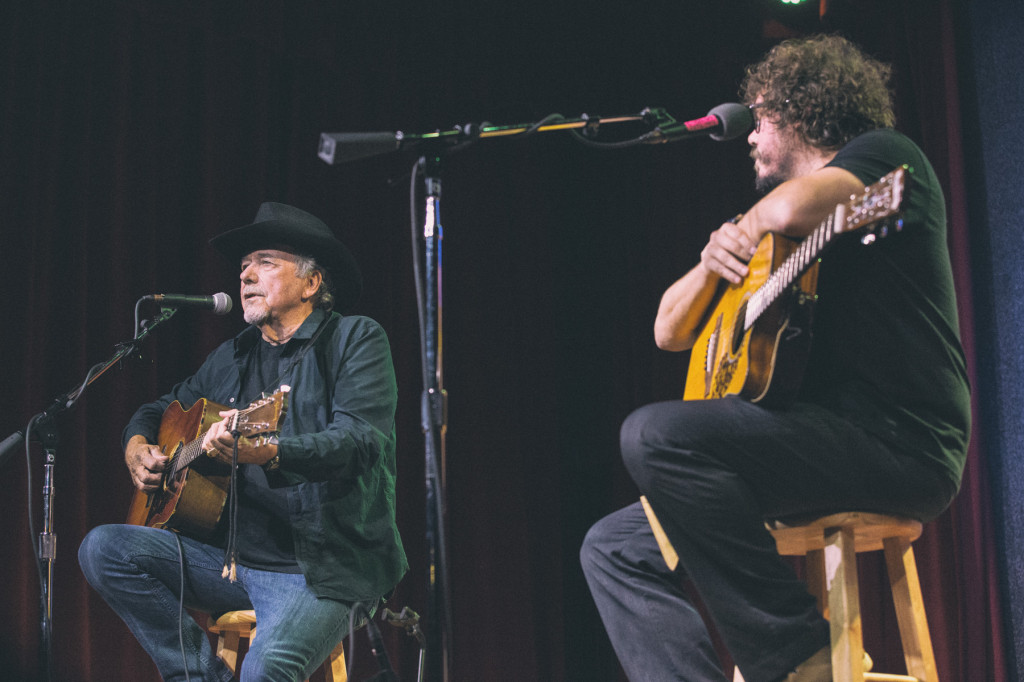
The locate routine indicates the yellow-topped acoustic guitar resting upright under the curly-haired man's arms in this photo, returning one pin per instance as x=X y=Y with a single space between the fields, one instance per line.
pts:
x=756 y=340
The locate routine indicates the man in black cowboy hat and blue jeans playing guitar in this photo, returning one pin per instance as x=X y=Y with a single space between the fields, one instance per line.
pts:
x=316 y=536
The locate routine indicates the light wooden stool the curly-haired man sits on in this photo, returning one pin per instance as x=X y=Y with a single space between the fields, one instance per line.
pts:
x=831 y=544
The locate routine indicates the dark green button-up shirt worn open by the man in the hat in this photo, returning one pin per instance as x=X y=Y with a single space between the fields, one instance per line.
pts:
x=337 y=448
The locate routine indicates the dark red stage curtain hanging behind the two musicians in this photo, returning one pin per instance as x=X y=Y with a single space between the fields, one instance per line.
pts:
x=132 y=133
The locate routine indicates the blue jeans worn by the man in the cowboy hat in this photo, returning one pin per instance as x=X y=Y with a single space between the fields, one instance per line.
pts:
x=137 y=571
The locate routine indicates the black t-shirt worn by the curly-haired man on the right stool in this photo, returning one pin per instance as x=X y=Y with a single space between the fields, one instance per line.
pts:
x=886 y=349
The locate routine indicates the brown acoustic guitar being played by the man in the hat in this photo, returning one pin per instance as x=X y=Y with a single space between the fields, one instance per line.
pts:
x=195 y=488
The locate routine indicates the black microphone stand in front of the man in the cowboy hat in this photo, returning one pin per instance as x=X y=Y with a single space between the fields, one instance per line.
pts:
x=45 y=428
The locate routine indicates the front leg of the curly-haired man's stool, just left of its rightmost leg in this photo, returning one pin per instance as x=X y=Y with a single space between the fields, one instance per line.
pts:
x=844 y=609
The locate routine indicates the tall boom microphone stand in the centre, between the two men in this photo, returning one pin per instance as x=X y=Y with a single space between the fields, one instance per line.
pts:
x=338 y=148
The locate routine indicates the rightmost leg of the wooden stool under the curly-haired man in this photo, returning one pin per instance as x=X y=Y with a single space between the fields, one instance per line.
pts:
x=911 y=610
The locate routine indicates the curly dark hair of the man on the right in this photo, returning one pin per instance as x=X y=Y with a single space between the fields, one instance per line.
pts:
x=825 y=88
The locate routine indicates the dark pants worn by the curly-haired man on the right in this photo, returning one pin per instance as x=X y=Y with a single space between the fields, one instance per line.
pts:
x=713 y=472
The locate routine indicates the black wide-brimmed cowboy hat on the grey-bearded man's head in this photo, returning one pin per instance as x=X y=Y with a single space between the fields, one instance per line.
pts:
x=289 y=229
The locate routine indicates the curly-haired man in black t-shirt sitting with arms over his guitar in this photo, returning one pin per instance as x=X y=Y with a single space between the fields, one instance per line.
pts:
x=880 y=421
